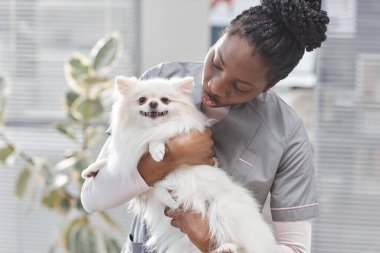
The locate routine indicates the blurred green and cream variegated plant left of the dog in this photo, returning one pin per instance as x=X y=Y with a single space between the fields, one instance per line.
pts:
x=57 y=186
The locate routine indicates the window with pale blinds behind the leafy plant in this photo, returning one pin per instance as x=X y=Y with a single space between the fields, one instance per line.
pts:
x=35 y=39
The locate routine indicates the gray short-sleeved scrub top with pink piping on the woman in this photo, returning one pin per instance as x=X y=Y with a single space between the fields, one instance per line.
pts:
x=263 y=145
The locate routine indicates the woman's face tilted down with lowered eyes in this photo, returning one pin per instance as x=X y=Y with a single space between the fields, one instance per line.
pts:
x=232 y=74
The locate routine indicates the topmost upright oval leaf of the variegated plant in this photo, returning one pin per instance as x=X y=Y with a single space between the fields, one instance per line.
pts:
x=106 y=53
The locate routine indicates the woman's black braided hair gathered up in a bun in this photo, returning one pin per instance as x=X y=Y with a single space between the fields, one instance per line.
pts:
x=281 y=31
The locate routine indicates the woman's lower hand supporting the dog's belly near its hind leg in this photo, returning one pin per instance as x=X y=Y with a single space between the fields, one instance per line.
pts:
x=193 y=225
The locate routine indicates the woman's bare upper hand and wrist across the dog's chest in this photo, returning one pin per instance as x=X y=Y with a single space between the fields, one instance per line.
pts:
x=193 y=148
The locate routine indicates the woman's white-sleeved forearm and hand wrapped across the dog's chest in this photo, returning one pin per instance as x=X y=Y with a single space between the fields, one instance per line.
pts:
x=108 y=189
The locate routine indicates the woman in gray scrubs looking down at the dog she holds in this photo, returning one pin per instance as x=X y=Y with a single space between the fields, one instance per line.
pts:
x=259 y=140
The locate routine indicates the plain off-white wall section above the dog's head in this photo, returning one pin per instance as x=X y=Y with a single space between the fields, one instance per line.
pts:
x=173 y=30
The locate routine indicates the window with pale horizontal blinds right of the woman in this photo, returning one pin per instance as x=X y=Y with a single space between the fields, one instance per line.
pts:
x=347 y=141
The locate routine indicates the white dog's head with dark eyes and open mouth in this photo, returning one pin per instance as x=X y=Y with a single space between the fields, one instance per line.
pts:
x=154 y=100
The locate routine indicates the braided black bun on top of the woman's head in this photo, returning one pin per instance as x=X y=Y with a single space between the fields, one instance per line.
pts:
x=304 y=19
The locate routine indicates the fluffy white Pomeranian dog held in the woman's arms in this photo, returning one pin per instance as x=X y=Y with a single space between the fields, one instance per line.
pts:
x=146 y=114
